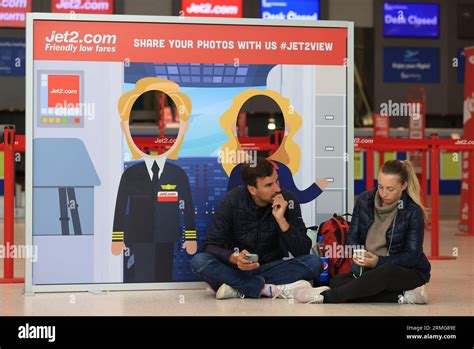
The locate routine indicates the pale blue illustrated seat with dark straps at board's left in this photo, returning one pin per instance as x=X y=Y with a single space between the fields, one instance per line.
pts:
x=63 y=212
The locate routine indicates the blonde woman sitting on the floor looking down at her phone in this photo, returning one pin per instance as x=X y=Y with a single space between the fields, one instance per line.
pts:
x=389 y=221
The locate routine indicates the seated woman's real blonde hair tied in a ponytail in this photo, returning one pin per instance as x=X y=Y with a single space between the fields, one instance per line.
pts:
x=405 y=171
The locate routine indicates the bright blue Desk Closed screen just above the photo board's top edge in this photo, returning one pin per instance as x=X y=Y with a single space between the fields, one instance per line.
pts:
x=290 y=9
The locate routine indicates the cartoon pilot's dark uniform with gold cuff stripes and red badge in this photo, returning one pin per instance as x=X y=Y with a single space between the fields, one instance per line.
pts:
x=151 y=215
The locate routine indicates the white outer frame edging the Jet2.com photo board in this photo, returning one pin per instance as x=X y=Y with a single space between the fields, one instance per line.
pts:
x=30 y=289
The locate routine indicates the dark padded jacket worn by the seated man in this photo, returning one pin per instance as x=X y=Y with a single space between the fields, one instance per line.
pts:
x=237 y=224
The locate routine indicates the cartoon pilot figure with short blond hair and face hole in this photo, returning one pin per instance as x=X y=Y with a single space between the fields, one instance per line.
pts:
x=153 y=195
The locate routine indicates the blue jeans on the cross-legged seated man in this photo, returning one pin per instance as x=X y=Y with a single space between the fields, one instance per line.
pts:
x=250 y=283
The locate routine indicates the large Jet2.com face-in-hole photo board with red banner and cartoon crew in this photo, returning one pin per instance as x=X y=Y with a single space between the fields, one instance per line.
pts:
x=137 y=126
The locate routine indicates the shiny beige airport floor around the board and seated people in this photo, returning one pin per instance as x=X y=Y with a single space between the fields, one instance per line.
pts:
x=451 y=291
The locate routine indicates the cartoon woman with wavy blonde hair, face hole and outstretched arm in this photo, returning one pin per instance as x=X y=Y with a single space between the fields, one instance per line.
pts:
x=286 y=159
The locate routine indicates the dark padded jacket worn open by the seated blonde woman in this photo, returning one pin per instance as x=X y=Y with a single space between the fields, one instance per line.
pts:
x=407 y=243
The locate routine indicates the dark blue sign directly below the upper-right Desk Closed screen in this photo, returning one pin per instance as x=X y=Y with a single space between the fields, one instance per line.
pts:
x=411 y=64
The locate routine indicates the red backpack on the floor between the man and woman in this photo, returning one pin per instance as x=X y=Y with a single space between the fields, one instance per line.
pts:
x=334 y=233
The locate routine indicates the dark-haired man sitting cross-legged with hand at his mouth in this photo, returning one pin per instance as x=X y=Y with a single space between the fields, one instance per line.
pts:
x=255 y=226
